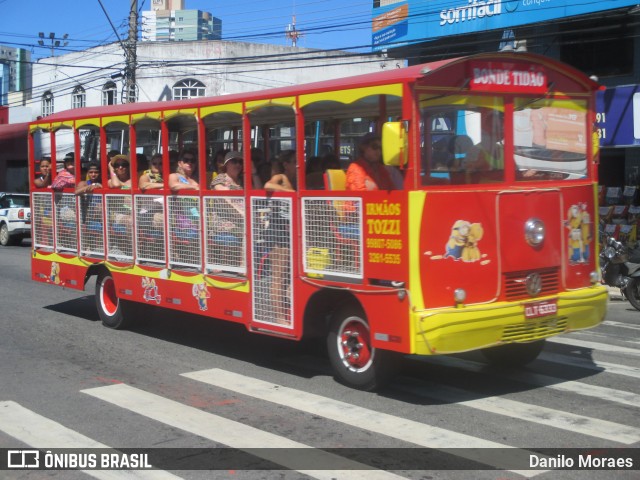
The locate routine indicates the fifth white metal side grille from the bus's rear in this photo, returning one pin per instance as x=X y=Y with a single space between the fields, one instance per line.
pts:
x=150 y=238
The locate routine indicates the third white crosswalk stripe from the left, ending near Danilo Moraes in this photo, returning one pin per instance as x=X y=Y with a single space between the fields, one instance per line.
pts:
x=390 y=425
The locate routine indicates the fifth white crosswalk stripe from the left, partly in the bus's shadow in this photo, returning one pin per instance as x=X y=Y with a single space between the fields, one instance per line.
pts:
x=537 y=379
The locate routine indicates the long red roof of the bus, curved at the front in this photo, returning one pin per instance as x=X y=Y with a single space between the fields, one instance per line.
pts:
x=399 y=75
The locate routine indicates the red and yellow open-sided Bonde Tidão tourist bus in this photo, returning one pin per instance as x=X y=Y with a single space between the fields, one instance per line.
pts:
x=486 y=242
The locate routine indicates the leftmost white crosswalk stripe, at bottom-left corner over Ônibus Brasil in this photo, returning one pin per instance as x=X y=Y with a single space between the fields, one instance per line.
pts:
x=37 y=431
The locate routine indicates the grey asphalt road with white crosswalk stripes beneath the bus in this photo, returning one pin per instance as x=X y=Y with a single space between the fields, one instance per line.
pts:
x=178 y=381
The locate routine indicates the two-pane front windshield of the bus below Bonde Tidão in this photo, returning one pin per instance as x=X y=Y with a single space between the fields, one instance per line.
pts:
x=463 y=140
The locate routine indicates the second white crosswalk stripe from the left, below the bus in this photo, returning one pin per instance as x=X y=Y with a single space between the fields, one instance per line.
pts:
x=228 y=432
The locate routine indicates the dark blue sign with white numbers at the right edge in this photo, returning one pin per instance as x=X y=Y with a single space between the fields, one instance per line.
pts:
x=618 y=116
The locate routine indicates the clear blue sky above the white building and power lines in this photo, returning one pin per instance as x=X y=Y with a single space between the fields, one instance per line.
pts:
x=325 y=24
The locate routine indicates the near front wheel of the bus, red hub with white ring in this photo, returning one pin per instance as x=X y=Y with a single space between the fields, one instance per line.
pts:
x=355 y=362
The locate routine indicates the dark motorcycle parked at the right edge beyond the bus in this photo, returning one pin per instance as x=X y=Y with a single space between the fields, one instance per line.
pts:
x=620 y=267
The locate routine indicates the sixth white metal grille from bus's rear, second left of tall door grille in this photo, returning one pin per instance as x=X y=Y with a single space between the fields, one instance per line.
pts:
x=184 y=231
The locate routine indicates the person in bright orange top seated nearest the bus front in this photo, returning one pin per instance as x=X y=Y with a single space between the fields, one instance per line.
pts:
x=368 y=172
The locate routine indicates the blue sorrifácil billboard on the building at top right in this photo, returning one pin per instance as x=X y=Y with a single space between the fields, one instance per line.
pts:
x=401 y=22
